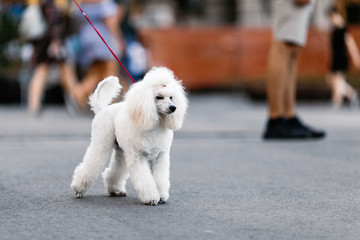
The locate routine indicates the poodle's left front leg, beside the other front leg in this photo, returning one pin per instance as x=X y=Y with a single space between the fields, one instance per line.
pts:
x=143 y=180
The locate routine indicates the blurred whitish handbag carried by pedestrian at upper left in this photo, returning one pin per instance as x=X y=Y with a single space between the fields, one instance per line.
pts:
x=32 y=24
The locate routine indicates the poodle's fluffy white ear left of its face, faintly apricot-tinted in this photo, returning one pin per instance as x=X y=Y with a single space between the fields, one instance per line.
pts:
x=141 y=106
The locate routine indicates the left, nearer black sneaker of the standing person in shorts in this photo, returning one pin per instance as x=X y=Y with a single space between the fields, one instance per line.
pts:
x=280 y=129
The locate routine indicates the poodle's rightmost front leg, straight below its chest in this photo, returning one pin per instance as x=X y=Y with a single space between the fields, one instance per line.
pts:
x=161 y=172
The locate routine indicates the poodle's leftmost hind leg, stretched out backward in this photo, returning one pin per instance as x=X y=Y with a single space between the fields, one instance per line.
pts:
x=94 y=160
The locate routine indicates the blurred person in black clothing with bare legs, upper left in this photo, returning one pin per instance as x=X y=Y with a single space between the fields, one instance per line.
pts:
x=48 y=49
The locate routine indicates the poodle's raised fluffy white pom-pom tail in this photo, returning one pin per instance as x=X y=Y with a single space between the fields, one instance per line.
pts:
x=106 y=91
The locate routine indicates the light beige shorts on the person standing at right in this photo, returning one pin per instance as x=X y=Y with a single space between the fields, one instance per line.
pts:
x=291 y=21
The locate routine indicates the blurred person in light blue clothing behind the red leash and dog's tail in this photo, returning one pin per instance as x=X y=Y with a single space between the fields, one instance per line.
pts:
x=95 y=58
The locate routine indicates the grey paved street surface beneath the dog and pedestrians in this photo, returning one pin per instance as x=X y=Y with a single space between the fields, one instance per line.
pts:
x=226 y=182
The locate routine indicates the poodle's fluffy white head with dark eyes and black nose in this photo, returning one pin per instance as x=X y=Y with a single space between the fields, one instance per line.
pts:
x=158 y=99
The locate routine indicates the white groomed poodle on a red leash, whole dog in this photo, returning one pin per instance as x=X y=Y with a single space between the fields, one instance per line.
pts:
x=140 y=130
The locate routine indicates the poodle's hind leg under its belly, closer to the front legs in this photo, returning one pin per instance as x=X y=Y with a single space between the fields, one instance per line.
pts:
x=116 y=174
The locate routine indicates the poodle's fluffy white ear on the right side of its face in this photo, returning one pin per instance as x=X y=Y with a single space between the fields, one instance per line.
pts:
x=175 y=120
